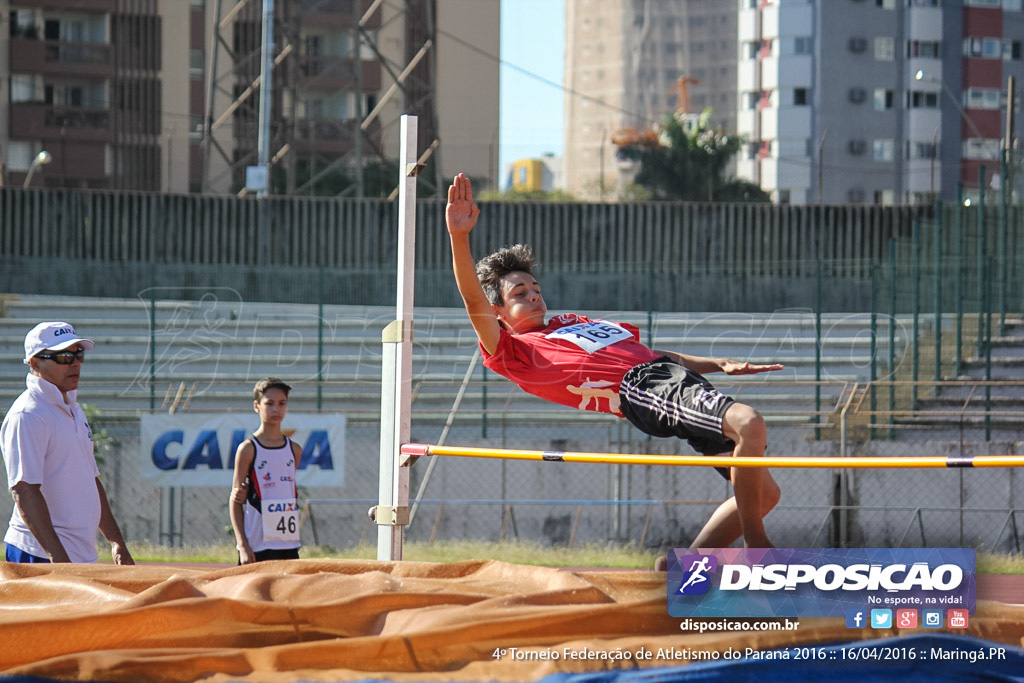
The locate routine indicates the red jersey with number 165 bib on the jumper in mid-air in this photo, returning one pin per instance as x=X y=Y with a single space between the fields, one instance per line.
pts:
x=574 y=361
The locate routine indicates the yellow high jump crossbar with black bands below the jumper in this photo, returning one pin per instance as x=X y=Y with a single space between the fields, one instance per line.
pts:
x=862 y=462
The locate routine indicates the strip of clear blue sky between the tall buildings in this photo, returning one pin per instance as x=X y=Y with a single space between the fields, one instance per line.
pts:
x=533 y=36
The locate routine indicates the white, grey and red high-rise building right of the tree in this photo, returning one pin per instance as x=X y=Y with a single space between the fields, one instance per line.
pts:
x=876 y=102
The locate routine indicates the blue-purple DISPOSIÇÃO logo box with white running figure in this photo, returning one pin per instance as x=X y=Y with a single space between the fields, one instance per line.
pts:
x=818 y=582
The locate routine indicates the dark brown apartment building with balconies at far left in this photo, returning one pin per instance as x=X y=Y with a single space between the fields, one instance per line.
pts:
x=81 y=82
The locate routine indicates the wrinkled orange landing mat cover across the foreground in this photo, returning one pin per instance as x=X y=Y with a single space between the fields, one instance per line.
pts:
x=351 y=620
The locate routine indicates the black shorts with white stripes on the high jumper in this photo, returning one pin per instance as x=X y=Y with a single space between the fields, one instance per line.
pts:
x=664 y=399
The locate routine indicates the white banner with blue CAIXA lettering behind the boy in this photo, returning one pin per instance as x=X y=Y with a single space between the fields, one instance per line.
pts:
x=198 y=449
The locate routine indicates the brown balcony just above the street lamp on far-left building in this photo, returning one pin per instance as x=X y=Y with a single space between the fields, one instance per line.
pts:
x=33 y=121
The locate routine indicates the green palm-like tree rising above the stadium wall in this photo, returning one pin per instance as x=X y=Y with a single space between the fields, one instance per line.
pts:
x=691 y=166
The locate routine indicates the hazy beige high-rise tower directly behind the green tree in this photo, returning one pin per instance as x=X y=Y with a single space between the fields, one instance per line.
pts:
x=629 y=63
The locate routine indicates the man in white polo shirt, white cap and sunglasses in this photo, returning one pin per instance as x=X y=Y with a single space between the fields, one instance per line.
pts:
x=48 y=447
